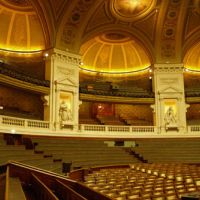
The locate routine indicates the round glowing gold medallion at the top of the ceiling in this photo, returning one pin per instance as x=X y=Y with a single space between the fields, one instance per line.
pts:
x=131 y=10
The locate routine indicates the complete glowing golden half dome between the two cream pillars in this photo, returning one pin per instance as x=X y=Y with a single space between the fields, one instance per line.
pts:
x=114 y=53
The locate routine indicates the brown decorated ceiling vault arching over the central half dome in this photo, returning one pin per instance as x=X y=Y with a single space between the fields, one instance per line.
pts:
x=162 y=31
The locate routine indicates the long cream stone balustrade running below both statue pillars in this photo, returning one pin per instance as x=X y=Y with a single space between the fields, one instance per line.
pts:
x=19 y=125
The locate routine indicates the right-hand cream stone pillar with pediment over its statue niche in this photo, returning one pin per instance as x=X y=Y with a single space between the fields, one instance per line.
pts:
x=169 y=92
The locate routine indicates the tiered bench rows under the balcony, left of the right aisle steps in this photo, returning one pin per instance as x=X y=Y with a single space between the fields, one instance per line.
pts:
x=53 y=153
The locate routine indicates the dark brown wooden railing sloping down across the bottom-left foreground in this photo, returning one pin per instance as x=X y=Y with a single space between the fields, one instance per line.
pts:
x=46 y=185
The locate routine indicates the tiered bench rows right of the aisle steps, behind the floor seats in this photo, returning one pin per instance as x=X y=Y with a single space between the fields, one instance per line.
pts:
x=169 y=150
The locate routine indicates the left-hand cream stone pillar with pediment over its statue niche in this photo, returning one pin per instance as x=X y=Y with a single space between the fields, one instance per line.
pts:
x=62 y=69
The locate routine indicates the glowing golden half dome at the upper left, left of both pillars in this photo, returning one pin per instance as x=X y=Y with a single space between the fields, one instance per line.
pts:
x=20 y=27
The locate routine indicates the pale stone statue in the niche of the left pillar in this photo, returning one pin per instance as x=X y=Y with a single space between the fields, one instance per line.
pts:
x=64 y=112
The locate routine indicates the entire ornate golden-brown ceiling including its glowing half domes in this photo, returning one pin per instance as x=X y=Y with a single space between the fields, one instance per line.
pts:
x=111 y=35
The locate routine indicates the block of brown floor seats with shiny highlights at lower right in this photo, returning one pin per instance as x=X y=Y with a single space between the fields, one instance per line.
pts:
x=145 y=181
